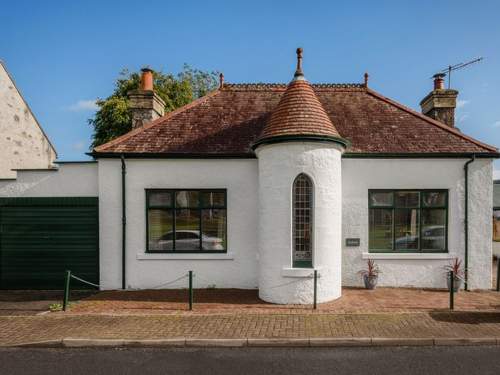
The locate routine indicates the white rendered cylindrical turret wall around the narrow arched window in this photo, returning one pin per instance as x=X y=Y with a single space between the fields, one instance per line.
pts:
x=279 y=165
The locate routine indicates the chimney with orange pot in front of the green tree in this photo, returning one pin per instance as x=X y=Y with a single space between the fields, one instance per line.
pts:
x=145 y=105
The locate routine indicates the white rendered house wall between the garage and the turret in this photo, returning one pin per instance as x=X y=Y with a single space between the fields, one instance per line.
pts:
x=237 y=269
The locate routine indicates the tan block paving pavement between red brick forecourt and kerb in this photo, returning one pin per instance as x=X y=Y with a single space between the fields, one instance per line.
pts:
x=23 y=329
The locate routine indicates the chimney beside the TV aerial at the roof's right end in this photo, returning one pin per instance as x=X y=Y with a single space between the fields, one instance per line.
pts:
x=440 y=103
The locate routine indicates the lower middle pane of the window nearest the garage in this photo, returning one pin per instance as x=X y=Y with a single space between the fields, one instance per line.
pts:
x=187 y=229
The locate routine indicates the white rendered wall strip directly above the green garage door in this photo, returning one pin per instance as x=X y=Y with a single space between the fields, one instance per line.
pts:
x=69 y=180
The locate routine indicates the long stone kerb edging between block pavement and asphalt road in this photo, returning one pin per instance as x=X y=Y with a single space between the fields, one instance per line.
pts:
x=260 y=342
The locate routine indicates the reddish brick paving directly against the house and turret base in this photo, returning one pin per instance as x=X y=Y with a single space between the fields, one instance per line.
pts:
x=239 y=301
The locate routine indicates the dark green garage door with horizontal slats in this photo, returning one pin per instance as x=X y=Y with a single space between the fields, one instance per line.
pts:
x=40 y=238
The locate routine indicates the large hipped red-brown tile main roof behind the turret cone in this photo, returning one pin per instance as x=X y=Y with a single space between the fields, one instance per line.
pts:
x=228 y=121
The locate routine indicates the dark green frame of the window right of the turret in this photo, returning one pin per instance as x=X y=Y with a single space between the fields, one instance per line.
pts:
x=420 y=209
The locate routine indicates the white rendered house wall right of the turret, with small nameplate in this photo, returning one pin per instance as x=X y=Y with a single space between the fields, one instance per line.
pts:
x=359 y=175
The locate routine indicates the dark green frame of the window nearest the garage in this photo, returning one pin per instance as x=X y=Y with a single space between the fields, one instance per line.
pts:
x=174 y=209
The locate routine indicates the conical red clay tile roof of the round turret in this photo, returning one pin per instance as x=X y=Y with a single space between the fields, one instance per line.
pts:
x=298 y=113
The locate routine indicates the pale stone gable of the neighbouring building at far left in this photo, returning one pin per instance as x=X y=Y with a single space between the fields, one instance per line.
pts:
x=23 y=143
